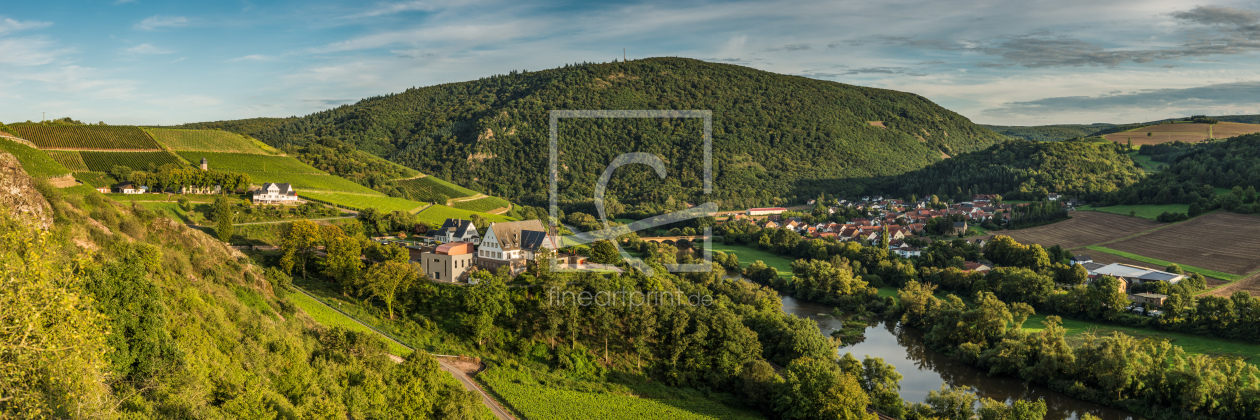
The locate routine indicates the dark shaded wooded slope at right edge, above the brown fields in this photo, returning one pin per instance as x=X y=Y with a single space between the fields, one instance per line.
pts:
x=1195 y=172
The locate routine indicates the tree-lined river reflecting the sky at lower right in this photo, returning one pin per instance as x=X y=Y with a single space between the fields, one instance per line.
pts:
x=924 y=370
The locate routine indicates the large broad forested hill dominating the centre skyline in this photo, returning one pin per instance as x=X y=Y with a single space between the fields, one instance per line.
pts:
x=773 y=134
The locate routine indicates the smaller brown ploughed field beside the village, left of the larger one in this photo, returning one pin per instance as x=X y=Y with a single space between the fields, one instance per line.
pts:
x=1084 y=229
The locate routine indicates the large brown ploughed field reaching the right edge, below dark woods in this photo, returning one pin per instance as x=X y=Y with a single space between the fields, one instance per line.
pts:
x=1220 y=242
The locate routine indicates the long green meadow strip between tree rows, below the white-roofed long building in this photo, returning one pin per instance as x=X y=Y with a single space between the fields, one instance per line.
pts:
x=1194 y=345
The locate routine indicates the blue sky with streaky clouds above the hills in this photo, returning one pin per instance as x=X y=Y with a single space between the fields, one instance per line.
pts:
x=995 y=62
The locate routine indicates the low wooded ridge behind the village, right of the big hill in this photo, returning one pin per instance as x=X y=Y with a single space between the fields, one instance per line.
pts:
x=1021 y=170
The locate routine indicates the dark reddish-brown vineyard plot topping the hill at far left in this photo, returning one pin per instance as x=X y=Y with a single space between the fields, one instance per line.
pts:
x=86 y=137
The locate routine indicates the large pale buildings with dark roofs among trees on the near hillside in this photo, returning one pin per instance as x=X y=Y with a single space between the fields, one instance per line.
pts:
x=457 y=249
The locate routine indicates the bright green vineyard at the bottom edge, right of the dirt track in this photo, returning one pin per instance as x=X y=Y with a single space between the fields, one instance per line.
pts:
x=535 y=400
